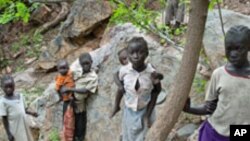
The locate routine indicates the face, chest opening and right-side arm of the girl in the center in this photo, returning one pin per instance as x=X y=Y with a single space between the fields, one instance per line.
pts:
x=137 y=53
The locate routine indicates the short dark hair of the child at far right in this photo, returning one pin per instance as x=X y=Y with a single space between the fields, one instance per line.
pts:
x=238 y=30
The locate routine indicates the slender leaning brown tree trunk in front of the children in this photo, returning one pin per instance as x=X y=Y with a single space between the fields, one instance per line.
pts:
x=179 y=93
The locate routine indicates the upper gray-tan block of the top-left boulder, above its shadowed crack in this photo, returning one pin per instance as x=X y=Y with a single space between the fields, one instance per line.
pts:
x=84 y=17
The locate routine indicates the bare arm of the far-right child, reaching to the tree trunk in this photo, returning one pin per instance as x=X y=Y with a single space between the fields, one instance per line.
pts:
x=204 y=109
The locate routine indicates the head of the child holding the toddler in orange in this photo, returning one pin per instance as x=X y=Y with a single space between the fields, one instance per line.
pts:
x=85 y=61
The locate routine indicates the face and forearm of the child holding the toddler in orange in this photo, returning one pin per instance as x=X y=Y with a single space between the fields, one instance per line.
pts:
x=85 y=63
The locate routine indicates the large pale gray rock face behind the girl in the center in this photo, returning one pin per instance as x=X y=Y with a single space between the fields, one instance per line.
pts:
x=99 y=126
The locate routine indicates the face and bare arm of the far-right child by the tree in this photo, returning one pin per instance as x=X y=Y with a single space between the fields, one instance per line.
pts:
x=236 y=53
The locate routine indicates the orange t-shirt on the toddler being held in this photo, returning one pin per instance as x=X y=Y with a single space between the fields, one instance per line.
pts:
x=67 y=81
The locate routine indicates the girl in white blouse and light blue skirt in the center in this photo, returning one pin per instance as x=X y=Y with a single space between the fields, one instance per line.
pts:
x=140 y=91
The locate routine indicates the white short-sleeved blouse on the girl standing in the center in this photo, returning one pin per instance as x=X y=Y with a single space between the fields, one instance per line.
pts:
x=136 y=99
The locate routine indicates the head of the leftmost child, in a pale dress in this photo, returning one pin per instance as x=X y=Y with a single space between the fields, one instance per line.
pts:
x=8 y=84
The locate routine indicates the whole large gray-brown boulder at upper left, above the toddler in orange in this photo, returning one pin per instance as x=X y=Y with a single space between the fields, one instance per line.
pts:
x=81 y=32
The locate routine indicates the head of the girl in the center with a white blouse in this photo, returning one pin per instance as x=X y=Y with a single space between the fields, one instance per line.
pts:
x=137 y=51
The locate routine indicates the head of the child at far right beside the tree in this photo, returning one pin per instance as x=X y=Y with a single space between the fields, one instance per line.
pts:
x=237 y=45
